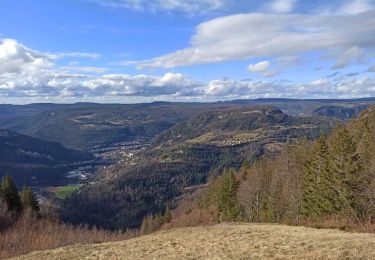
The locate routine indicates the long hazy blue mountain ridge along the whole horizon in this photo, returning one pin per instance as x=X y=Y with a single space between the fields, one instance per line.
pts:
x=89 y=126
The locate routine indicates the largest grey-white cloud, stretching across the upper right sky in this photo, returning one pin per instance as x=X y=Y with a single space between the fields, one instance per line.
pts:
x=252 y=35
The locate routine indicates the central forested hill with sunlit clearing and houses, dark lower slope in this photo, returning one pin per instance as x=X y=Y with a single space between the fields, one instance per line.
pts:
x=199 y=148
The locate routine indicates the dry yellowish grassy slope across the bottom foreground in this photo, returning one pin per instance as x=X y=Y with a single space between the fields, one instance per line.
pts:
x=227 y=241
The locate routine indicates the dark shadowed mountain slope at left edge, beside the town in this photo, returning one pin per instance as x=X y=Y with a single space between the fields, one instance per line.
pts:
x=34 y=162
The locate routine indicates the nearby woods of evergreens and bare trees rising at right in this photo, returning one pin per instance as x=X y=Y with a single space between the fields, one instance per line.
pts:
x=330 y=181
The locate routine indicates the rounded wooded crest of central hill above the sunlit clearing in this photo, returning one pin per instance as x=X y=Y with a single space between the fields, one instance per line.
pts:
x=263 y=118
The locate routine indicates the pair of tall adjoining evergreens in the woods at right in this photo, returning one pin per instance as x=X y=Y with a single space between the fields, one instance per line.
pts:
x=331 y=177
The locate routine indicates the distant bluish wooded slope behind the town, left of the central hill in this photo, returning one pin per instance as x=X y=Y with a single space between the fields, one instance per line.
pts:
x=89 y=126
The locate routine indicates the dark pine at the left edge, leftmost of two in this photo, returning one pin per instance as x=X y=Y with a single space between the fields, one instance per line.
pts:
x=9 y=195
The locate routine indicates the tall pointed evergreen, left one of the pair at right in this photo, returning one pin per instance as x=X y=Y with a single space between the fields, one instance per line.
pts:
x=317 y=194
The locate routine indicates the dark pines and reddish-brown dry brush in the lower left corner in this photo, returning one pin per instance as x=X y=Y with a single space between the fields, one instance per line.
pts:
x=26 y=226
